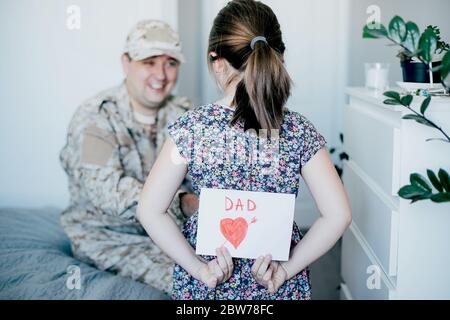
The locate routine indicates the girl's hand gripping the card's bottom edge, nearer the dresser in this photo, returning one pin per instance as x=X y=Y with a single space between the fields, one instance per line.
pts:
x=270 y=274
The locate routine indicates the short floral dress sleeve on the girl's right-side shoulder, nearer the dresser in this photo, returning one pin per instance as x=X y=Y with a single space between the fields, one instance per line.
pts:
x=311 y=141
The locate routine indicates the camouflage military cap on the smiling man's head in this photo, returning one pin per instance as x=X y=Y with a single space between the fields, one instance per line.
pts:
x=151 y=38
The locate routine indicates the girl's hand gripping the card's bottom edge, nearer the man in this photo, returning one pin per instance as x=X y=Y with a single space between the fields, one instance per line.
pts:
x=217 y=271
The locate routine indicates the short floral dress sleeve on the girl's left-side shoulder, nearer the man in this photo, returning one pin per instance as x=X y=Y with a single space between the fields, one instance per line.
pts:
x=181 y=133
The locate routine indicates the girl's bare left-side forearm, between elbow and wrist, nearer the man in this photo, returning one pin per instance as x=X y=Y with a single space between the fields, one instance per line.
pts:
x=168 y=237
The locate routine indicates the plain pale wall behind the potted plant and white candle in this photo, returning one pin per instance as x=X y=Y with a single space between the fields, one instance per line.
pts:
x=424 y=13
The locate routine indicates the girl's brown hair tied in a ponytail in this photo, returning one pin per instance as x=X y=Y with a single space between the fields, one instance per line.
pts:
x=265 y=87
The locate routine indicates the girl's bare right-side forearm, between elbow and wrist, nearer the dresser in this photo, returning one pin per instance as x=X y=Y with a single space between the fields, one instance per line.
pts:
x=321 y=237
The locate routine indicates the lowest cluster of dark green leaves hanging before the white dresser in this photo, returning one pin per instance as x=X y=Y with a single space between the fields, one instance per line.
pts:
x=420 y=189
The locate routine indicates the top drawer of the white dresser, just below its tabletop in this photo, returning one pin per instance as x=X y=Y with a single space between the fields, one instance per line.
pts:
x=372 y=140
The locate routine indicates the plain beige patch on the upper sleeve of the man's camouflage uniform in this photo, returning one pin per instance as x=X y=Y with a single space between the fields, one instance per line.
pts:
x=97 y=147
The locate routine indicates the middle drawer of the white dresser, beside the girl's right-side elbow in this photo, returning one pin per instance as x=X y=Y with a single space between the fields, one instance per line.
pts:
x=376 y=218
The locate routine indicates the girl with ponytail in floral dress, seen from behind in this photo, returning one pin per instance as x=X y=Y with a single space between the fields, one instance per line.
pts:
x=246 y=55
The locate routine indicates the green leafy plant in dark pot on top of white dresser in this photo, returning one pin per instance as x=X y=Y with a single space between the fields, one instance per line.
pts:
x=427 y=48
